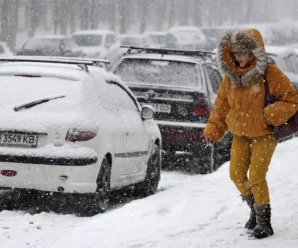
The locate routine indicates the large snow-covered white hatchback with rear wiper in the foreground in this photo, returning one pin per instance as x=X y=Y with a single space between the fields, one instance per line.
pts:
x=67 y=126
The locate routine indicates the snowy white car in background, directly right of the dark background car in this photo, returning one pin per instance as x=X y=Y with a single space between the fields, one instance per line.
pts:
x=98 y=44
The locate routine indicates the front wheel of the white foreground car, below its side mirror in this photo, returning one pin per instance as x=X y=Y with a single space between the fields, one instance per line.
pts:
x=150 y=184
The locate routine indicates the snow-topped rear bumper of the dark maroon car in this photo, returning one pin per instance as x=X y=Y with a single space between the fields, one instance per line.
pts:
x=181 y=136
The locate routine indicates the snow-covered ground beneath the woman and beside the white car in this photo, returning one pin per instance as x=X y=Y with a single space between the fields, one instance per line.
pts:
x=188 y=211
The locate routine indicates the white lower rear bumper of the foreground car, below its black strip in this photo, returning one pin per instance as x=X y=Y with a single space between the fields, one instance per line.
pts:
x=50 y=177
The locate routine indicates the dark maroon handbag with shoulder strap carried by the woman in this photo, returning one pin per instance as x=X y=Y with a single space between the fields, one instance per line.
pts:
x=287 y=129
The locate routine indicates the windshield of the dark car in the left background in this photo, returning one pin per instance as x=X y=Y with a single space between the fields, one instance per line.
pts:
x=42 y=43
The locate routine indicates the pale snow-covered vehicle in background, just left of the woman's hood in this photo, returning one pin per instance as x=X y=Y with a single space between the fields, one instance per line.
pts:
x=189 y=37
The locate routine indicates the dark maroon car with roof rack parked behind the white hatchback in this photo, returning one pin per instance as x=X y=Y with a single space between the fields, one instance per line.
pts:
x=181 y=86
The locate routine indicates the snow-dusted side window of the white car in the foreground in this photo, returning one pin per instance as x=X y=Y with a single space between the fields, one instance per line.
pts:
x=124 y=98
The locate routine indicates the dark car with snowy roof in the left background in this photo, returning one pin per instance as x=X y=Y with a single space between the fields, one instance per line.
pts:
x=54 y=45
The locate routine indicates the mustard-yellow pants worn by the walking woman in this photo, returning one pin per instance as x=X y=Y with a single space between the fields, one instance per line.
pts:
x=253 y=155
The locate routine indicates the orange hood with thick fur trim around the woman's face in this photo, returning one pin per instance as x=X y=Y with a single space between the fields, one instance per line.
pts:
x=252 y=40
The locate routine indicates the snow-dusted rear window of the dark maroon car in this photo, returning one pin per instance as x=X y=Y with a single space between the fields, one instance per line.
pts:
x=158 y=72
